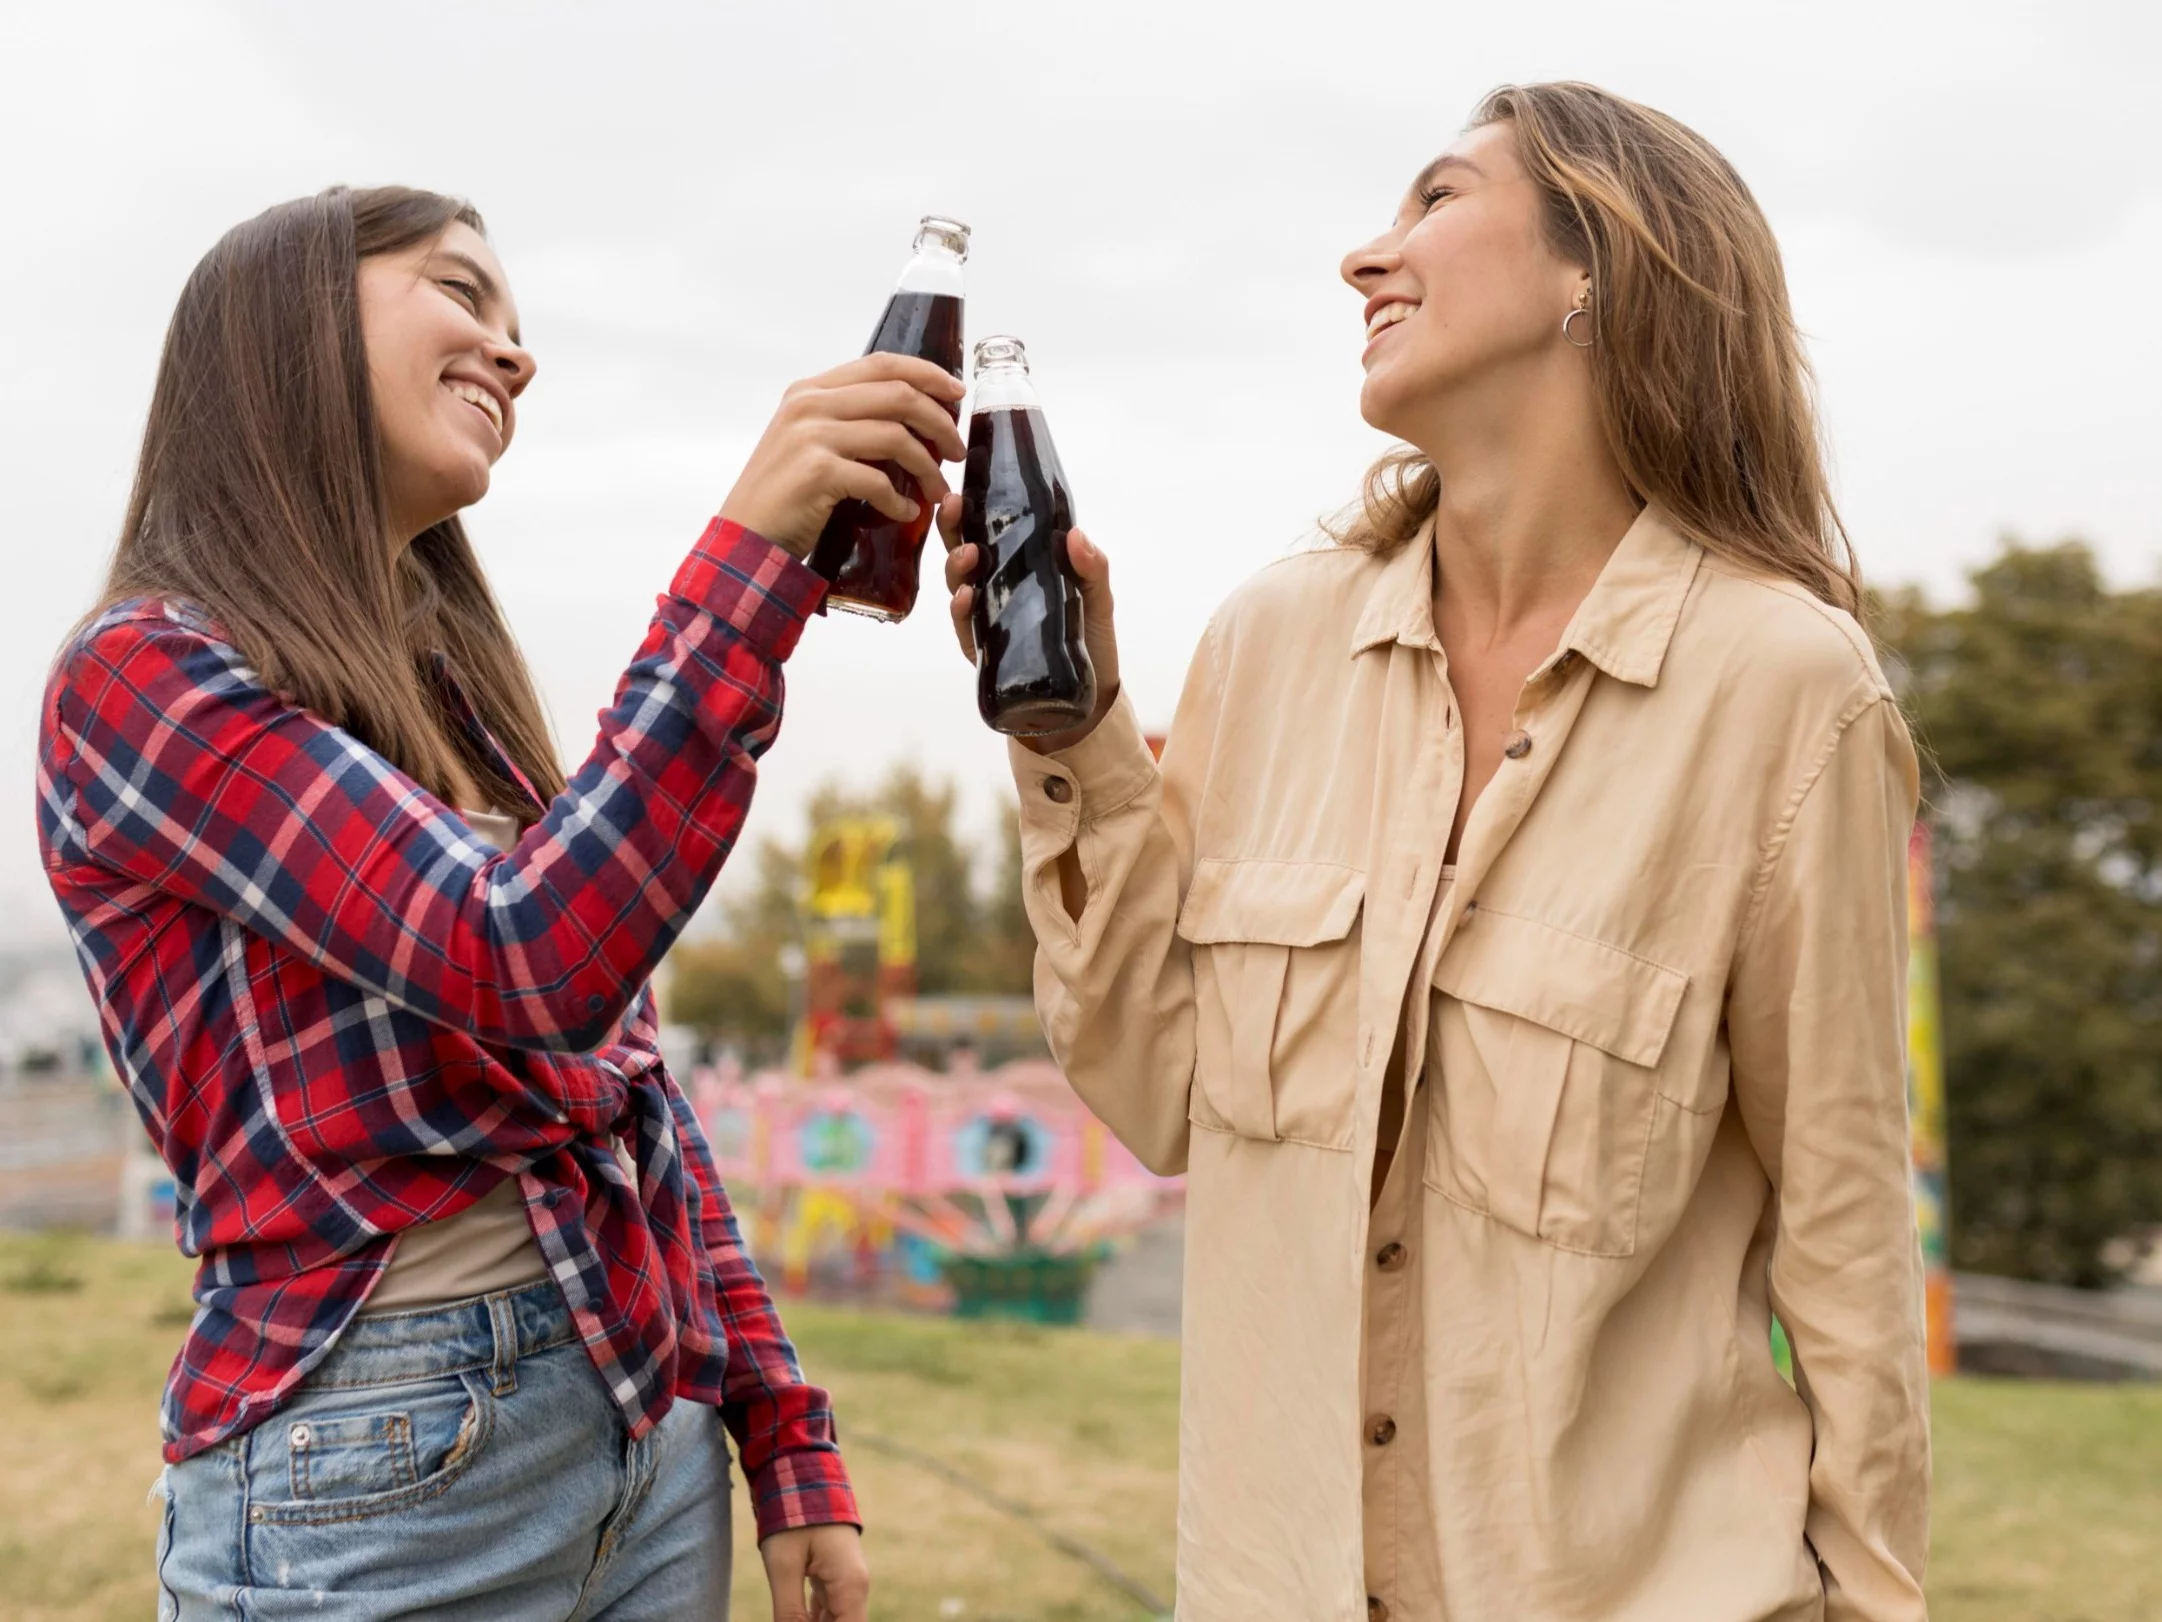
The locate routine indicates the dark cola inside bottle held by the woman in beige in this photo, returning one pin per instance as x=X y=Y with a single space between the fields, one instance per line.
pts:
x=1032 y=669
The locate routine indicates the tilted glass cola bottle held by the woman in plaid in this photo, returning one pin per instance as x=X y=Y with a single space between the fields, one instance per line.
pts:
x=870 y=559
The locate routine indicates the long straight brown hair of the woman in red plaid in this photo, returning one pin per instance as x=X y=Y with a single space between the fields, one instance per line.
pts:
x=261 y=498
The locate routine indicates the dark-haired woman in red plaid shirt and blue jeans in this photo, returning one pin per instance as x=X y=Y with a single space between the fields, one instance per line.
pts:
x=472 y=1305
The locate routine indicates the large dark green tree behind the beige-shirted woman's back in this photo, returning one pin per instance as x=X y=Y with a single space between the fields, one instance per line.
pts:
x=2040 y=715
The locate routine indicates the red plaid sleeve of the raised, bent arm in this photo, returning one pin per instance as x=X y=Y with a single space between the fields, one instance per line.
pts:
x=170 y=765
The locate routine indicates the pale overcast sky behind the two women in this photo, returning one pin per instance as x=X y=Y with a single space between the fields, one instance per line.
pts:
x=702 y=202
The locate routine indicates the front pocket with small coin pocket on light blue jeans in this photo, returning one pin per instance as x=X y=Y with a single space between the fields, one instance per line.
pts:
x=351 y=1454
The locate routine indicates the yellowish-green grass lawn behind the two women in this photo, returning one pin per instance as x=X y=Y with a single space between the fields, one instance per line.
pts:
x=2048 y=1498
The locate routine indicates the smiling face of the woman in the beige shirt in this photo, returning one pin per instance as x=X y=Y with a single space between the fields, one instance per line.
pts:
x=1465 y=287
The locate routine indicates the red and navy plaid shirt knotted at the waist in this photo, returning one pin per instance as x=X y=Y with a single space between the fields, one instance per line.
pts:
x=341 y=1011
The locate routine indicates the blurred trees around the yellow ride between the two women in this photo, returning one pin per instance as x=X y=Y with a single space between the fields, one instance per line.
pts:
x=730 y=987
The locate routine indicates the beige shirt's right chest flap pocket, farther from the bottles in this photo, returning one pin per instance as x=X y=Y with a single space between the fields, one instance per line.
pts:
x=1547 y=1093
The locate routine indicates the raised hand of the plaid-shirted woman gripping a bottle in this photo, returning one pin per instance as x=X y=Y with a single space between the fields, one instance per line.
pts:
x=827 y=438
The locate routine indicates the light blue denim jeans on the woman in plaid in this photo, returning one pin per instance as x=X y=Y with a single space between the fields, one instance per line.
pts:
x=453 y=1463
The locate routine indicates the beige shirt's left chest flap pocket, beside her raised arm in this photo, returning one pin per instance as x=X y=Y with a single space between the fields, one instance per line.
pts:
x=1274 y=998
